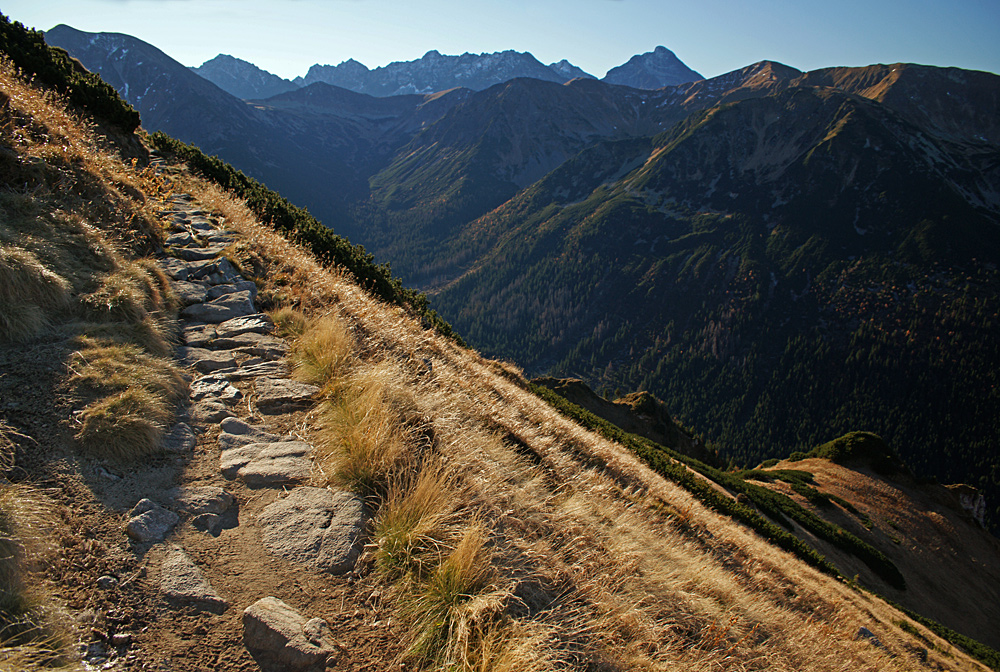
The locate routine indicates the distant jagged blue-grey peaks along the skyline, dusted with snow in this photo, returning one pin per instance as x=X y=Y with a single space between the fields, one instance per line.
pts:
x=436 y=72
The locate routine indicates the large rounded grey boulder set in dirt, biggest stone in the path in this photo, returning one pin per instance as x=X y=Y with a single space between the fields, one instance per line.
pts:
x=315 y=527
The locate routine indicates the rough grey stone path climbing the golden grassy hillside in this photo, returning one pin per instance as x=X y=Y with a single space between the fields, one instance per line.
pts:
x=239 y=373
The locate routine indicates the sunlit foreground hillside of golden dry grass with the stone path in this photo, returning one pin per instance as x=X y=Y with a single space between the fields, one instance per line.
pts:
x=151 y=487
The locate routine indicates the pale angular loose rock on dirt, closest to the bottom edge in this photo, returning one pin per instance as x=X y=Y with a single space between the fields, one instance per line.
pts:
x=280 y=639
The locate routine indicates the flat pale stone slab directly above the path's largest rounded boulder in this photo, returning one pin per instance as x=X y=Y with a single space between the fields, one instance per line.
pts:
x=265 y=464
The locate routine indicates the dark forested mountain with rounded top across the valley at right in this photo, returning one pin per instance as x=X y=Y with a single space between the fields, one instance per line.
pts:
x=700 y=260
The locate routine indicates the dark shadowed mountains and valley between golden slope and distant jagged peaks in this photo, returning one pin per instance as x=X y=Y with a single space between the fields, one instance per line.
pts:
x=781 y=256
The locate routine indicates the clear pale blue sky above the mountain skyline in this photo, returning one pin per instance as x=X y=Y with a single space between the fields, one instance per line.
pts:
x=711 y=36
